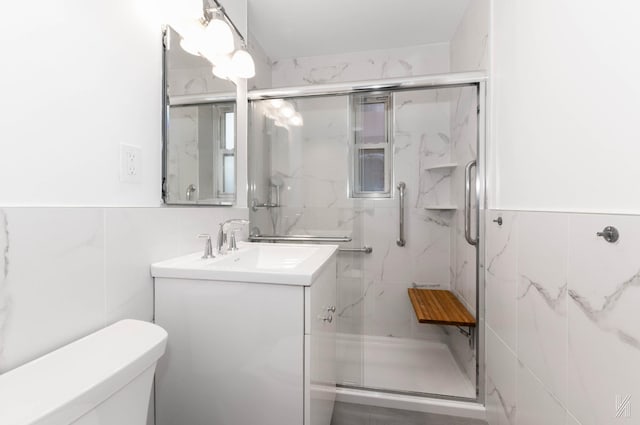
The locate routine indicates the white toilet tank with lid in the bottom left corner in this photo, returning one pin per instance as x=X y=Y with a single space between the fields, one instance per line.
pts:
x=102 y=379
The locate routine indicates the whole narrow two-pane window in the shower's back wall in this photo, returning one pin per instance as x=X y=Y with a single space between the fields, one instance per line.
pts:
x=371 y=177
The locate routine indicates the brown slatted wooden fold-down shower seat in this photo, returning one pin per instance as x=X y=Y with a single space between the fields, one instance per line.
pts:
x=441 y=307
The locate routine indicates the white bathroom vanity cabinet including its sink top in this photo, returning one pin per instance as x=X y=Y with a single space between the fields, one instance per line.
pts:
x=251 y=336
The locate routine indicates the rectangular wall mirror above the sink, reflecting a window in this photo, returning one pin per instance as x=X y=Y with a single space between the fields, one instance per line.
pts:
x=199 y=153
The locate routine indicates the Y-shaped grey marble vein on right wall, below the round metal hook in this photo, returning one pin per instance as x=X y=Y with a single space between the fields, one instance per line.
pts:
x=599 y=315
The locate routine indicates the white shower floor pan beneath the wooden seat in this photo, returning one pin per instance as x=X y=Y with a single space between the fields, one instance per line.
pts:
x=399 y=364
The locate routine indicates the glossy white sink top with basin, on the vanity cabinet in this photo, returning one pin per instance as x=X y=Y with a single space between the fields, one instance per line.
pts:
x=287 y=264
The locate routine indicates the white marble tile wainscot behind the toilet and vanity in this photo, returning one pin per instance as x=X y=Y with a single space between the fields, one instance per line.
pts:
x=65 y=272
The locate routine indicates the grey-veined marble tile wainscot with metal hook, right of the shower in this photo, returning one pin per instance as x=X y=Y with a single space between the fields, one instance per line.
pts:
x=562 y=318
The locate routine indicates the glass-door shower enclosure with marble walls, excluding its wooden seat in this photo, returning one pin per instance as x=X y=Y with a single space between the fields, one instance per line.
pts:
x=328 y=164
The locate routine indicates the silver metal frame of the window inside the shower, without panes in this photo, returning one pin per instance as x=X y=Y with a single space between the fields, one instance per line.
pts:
x=355 y=184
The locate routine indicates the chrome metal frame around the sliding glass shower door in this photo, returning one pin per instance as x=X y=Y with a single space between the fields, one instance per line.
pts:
x=440 y=81
